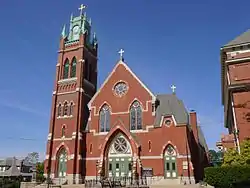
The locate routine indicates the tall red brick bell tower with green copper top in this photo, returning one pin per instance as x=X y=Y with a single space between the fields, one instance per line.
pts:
x=75 y=85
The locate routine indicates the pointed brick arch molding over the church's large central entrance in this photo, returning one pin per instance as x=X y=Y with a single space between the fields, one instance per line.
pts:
x=116 y=130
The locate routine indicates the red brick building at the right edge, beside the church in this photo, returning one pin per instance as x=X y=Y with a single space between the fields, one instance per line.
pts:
x=235 y=84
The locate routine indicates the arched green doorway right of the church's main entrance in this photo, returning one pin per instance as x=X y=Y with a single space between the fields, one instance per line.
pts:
x=170 y=163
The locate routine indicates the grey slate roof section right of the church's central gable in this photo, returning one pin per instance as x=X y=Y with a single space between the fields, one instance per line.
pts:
x=169 y=104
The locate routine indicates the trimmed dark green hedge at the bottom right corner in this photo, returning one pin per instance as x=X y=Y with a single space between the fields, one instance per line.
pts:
x=227 y=177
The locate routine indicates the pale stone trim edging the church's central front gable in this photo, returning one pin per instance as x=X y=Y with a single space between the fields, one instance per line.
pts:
x=120 y=62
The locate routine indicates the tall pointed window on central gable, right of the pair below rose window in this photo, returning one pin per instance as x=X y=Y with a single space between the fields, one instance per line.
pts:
x=135 y=116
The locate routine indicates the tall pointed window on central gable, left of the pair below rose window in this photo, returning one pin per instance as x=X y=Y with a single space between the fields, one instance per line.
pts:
x=104 y=121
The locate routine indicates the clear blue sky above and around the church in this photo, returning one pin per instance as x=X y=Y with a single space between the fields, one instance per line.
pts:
x=165 y=42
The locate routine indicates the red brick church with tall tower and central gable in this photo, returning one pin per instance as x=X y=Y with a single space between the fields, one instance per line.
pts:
x=120 y=129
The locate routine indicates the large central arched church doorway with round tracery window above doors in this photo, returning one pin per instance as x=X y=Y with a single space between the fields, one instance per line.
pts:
x=119 y=157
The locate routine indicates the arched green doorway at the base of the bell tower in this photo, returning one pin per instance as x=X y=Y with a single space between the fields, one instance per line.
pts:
x=62 y=164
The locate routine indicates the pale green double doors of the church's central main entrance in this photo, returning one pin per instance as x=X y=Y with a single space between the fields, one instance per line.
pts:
x=119 y=167
